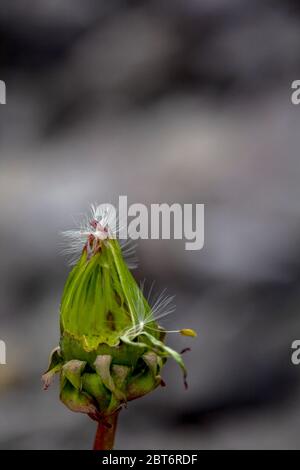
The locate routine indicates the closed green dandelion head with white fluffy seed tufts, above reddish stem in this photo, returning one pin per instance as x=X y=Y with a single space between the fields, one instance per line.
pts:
x=111 y=349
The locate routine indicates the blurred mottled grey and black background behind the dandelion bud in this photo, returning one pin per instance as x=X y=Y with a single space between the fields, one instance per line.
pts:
x=163 y=101
